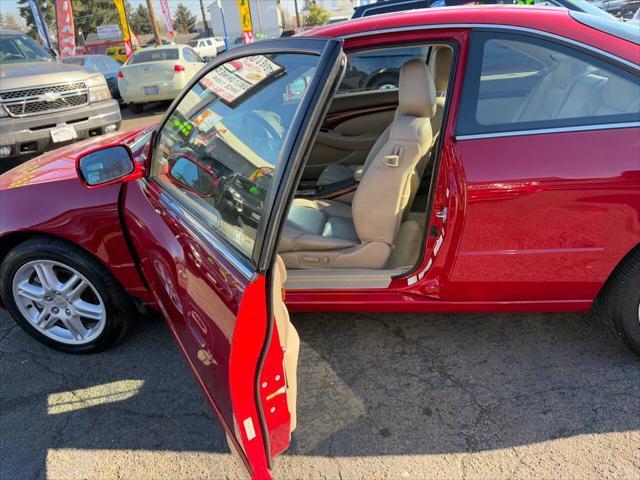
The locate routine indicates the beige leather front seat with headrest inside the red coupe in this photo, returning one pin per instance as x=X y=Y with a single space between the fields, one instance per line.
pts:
x=332 y=234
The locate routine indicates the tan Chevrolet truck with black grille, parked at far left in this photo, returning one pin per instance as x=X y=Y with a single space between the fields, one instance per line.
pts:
x=44 y=102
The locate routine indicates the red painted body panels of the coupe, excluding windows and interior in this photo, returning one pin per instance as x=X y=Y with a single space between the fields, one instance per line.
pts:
x=524 y=232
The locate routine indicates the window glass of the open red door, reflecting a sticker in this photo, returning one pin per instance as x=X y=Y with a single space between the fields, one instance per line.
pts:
x=219 y=149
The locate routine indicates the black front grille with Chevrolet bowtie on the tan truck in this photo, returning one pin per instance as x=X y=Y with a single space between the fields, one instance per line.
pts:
x=33 y=101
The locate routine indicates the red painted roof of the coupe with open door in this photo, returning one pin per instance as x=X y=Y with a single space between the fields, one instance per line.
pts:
x=553 y=20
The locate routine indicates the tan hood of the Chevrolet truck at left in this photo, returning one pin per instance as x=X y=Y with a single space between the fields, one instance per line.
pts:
x=35 y=74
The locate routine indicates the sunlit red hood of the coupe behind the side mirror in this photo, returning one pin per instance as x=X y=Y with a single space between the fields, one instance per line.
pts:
x=60 y=164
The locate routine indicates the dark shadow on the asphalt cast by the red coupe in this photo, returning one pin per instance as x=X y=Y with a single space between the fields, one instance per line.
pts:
x=368 y=385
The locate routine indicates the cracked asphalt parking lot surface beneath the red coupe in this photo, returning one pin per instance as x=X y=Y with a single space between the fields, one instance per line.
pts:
x=380 y=396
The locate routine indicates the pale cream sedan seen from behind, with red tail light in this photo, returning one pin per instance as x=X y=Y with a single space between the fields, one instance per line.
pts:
x=157 y=73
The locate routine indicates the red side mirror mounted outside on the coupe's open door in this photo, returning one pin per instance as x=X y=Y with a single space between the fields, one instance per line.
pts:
x=107 y=166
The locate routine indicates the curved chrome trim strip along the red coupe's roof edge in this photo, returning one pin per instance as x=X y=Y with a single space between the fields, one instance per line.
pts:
x=491 y=26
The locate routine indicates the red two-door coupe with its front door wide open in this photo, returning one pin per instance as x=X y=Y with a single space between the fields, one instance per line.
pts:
x=503 y=174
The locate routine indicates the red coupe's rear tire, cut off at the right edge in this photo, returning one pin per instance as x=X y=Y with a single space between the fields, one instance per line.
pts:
x=622 y=302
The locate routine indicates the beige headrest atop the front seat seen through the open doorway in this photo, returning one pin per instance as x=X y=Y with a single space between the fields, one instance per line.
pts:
x=417 y=94
